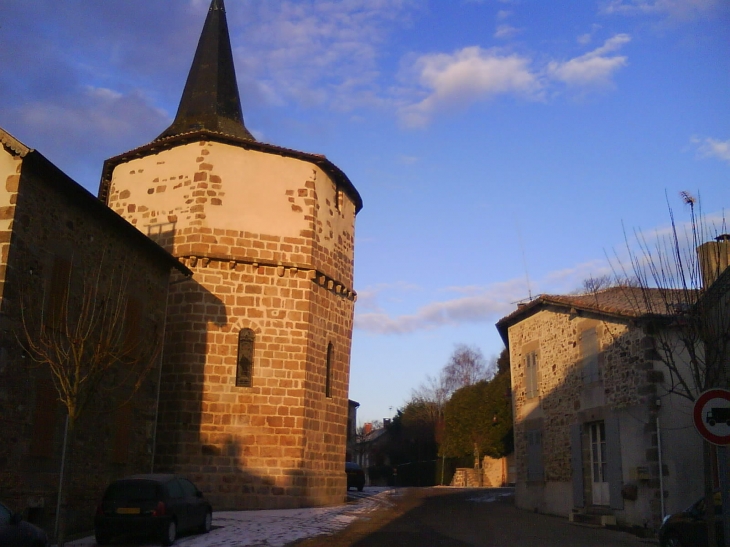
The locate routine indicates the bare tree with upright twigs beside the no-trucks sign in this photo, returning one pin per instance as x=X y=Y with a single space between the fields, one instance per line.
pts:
x=671 y=281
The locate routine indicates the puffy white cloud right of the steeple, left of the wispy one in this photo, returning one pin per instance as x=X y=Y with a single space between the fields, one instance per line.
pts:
x=469 y=75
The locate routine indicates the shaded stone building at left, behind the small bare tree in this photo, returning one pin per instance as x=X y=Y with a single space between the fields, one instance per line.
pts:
x=55 y=237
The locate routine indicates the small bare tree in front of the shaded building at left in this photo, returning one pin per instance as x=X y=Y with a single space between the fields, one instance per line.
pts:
x=85 y=330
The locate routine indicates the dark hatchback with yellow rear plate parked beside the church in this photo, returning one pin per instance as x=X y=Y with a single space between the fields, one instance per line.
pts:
x=163 y=505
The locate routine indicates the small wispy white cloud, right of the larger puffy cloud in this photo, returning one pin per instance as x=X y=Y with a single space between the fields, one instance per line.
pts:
x=593 y=68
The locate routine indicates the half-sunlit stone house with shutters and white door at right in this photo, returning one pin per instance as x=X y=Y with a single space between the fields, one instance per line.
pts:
x=592 y=416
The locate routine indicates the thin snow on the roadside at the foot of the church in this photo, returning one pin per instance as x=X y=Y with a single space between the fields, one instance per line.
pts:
x=275 y=528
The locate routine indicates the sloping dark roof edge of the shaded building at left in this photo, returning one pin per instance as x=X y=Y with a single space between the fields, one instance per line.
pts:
x=53 y=176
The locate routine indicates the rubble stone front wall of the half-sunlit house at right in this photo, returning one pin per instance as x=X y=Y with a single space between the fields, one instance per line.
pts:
x=562 y=393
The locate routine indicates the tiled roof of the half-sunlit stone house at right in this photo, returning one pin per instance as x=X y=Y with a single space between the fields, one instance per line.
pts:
x=617 y=302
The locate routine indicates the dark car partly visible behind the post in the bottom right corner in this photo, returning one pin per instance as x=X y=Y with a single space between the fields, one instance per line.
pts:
x=688 y=528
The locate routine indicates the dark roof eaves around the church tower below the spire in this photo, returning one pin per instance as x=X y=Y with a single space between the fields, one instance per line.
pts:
x=156 y=146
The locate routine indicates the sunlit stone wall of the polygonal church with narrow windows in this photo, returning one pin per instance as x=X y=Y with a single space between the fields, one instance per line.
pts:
x=270 y=242
